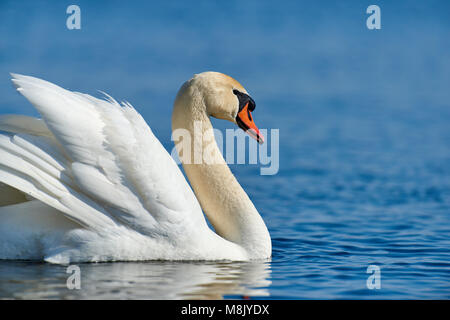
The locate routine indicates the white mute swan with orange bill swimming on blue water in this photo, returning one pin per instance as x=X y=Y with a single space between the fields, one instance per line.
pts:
x=90 y=182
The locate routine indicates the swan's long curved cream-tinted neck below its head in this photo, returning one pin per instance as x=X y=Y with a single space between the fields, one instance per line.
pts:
x=225 y=203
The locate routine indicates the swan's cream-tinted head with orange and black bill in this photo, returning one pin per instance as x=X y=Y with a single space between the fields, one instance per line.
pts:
x=225 y=98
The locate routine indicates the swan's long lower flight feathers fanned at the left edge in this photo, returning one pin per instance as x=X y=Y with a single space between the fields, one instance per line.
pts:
x=34 y=166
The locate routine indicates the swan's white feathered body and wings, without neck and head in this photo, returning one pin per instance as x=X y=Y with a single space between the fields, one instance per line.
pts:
x=90 y=182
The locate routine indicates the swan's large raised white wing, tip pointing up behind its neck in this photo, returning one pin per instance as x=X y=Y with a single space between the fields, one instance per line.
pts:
x=116 y=166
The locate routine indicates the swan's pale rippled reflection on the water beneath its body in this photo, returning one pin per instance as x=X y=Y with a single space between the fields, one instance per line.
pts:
x=144 y=280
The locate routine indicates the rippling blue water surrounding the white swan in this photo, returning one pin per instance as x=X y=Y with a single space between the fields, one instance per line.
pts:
x=364 y=120
